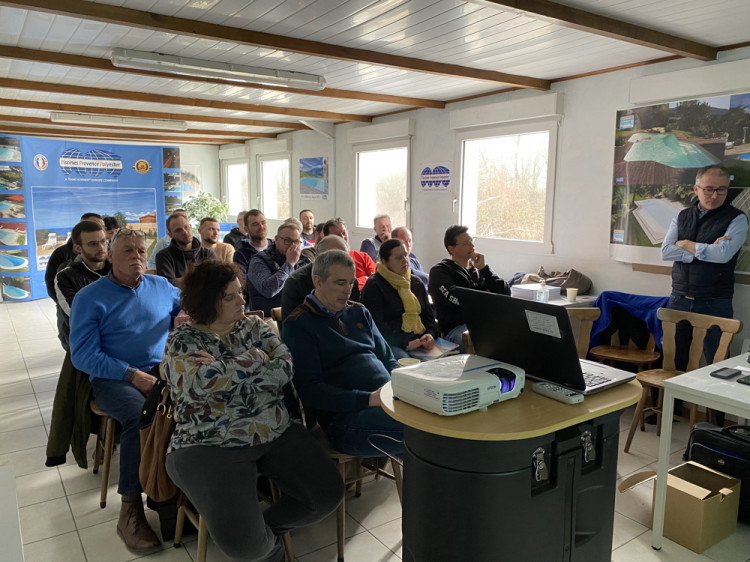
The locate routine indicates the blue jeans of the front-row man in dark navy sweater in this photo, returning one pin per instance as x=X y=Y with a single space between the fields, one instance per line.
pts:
x=349 y=432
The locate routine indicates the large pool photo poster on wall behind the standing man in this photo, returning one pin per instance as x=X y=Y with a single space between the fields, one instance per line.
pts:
x=658 y=150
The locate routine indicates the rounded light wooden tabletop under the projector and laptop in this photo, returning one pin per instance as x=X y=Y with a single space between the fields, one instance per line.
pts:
x=529 y=415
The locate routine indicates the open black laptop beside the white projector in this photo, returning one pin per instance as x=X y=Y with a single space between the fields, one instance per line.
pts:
x=536 y=337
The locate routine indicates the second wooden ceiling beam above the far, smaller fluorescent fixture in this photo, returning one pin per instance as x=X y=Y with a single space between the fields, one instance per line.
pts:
x=175 y=100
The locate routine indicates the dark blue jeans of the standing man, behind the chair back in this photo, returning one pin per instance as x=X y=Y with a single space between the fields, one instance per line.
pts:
x=684 y=332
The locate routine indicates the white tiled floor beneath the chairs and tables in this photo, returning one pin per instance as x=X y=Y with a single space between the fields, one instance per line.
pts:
x=59 y=507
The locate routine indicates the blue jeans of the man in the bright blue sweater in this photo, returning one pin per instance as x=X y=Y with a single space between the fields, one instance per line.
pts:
x=123 y=402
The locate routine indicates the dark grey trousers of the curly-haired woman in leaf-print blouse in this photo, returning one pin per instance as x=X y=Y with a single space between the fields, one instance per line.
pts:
x=222 y=484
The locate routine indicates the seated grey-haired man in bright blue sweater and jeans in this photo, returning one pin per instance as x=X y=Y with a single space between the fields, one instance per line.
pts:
x=119 y=325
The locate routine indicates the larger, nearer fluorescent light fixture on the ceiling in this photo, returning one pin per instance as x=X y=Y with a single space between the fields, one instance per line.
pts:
x=141 y=60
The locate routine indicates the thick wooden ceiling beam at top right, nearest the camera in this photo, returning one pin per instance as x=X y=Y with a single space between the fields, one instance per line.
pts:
x=574 y=18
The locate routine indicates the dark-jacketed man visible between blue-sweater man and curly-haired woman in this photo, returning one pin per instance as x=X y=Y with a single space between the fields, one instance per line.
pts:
x=172 y=262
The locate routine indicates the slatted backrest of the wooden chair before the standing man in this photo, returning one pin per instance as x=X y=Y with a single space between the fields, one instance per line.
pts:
x=700 y=323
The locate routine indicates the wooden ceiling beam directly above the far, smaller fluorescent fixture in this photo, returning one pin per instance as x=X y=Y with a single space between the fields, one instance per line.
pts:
x=100 y=110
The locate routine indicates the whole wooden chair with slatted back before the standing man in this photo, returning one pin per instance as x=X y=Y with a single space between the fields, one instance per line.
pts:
x=655 y=378
